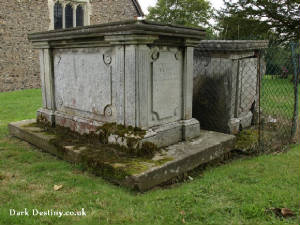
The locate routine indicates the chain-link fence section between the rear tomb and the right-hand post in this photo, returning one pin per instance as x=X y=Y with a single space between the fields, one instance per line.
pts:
x=279 y=95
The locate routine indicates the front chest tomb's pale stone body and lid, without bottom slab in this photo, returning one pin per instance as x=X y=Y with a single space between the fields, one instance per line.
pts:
x=133 y=73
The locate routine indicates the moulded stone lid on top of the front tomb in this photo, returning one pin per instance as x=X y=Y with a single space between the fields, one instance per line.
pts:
x=126 y=27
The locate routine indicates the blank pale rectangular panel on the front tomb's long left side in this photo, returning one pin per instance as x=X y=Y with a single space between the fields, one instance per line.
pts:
x=83 y=80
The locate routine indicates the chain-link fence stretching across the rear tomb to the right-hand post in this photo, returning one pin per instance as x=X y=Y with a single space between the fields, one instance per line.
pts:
x=249 y=89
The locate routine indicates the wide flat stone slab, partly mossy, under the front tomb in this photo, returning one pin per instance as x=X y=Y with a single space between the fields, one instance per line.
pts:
x=134 y=172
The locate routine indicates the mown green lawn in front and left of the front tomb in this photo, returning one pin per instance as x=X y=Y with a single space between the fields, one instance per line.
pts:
x=235 y=193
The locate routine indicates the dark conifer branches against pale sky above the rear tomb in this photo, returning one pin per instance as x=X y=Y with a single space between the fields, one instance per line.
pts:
x=281 y=17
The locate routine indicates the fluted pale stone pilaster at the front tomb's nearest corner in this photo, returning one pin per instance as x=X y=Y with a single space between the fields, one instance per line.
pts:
x=136 y=71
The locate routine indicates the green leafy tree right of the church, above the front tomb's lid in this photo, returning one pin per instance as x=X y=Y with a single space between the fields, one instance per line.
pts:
x=182 y=12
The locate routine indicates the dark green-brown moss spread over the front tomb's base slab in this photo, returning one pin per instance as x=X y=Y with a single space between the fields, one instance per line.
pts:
x=113 y=162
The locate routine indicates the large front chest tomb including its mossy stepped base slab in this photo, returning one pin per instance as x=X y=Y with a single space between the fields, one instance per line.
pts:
x=118 y=97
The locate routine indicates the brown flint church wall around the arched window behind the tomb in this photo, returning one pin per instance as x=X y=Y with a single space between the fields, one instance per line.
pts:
x=19 y=63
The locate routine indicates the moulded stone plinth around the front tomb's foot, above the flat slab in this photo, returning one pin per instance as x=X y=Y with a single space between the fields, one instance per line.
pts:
x=162 y=135
